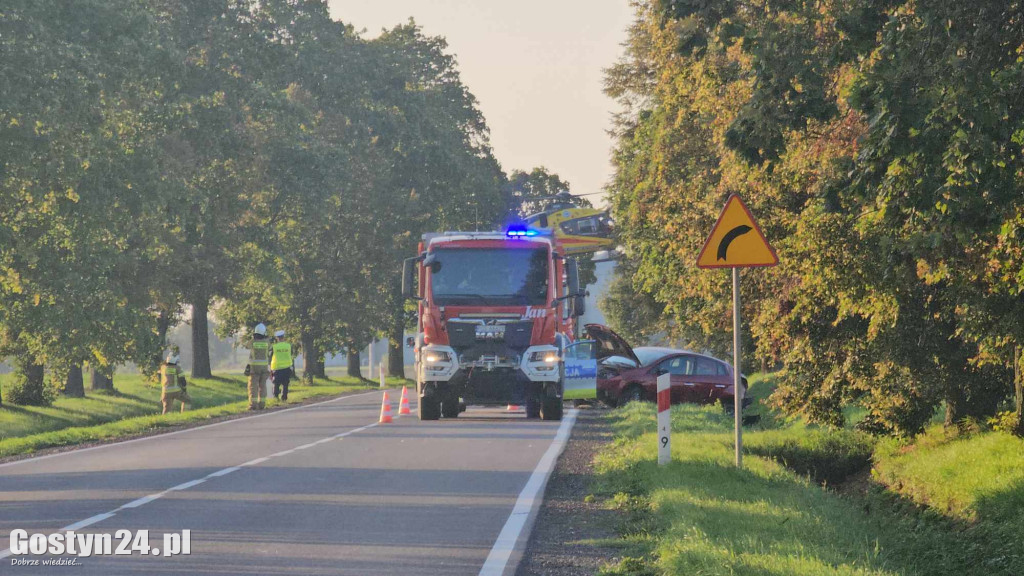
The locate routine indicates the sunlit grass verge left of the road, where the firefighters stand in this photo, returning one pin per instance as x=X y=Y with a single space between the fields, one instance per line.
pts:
x=135 y=408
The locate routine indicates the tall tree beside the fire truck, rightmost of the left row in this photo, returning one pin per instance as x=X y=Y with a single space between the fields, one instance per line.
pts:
x=444 y=175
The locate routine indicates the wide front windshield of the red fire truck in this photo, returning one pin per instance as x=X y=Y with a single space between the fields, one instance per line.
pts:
x=490 y=276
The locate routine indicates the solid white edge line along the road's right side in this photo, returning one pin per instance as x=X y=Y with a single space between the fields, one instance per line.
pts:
x=528 y=504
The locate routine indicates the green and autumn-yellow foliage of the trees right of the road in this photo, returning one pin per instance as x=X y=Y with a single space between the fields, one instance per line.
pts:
x=883 y=164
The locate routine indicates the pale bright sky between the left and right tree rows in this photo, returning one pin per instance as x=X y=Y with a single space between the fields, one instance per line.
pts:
x=535 y=66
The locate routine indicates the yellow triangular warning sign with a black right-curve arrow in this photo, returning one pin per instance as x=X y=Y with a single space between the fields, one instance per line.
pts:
x=737 y=240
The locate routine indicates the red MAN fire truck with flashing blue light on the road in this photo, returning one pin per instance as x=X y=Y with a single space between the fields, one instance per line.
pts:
x=496 y=313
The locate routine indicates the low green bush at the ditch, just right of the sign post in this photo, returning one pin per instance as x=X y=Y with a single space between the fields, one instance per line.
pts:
x=830 y=457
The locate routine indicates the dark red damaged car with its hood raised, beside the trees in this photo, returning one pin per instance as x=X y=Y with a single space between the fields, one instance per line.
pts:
x=626 y=375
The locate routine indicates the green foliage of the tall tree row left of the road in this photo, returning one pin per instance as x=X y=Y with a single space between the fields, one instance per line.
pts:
x=259 y=156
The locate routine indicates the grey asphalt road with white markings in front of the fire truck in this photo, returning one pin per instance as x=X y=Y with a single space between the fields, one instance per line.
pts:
x=320 y=489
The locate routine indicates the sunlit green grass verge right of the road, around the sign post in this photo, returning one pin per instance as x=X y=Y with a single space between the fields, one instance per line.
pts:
x=702 y=516
